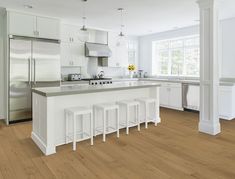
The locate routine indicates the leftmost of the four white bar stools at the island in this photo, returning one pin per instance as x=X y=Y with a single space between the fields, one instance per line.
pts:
x=76 y=113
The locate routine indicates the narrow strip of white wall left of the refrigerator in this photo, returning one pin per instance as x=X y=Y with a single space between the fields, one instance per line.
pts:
x=1 y=66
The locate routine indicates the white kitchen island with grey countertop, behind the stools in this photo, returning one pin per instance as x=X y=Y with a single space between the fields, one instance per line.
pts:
x=49 y=104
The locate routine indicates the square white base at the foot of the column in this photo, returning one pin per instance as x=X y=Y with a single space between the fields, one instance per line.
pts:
x=208 y=128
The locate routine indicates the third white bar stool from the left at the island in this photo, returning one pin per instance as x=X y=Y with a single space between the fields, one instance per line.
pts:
x=128 y=104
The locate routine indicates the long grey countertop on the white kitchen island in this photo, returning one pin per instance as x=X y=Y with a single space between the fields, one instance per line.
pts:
x=81 y=89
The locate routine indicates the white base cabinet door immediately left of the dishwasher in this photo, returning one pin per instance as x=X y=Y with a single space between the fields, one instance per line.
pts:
x=175 y=97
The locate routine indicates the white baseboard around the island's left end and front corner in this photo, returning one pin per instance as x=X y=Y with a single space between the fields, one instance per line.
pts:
x=46 y=150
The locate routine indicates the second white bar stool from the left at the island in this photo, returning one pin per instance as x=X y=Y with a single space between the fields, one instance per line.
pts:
x=105 y=108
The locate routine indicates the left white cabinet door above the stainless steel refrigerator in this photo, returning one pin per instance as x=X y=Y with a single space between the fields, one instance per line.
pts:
x=21 y=24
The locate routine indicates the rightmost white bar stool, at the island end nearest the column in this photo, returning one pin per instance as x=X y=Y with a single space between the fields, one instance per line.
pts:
x=146 y=102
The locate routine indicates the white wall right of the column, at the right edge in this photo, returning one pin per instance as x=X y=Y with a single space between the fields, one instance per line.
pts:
x=228 y=48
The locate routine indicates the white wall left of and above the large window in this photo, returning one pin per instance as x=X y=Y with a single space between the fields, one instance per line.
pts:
x=145 y=44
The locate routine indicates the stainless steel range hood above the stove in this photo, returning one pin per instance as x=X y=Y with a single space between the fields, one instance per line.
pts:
x=97 y=50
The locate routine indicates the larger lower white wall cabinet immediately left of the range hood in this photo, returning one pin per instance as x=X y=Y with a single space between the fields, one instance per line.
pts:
x=72 y=54
